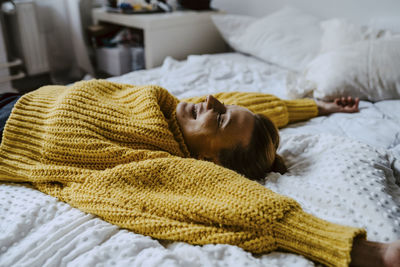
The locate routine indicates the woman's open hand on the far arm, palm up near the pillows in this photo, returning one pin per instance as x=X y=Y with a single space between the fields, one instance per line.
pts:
x=342 y=104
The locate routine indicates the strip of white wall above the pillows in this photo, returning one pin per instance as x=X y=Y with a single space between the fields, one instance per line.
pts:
x=356 y=10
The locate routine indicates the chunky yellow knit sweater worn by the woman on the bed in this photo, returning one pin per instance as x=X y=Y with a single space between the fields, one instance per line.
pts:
x=116 y=151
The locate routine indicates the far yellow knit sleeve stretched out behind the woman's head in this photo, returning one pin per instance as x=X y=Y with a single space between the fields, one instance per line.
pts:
x=281 y=112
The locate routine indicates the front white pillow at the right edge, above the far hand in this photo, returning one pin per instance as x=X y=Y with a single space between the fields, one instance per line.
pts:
x=367 y=69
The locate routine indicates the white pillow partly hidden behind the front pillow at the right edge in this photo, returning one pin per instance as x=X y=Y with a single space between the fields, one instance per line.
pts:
x=338 y=32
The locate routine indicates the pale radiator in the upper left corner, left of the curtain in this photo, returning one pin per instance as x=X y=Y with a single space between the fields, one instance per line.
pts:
x=31 y=42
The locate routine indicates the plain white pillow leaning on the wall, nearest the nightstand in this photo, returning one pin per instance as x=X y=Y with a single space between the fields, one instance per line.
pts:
x=289 y=37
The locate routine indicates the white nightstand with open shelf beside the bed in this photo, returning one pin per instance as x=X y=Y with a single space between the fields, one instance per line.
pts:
x=176 y=34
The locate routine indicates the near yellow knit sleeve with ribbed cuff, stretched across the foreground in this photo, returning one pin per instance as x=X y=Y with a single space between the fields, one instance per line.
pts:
x=201 y=203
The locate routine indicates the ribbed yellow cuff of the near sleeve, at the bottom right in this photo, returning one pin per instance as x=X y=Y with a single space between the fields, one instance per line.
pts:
x=319 y=240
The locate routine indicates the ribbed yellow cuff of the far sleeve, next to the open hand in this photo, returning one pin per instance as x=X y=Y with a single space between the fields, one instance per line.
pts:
x=301 y=109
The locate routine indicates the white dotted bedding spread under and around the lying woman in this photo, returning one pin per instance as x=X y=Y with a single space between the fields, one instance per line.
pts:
x=343 y=168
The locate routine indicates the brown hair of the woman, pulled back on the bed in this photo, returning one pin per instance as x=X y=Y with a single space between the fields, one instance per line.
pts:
x=259 y=157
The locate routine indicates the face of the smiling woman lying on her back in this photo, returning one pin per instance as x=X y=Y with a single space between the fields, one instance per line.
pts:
x=211 y=126
